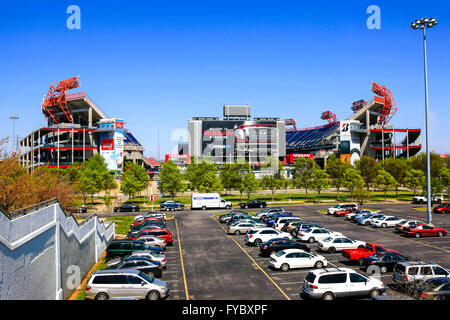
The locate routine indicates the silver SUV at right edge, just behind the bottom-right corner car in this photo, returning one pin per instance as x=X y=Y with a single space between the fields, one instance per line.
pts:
x=414 y=271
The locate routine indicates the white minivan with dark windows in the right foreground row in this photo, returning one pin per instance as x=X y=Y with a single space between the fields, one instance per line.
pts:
x=332 y=283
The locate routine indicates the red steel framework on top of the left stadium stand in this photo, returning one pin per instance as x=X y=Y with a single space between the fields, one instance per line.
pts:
x=56 y=99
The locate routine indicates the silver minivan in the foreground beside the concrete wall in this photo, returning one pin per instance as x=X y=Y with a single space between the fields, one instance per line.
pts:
x=117 y=284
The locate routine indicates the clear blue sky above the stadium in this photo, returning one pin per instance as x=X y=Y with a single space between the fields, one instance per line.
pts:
x=158 y=63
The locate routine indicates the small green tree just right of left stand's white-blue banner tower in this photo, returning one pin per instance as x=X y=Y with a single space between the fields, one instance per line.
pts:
x=134 y=179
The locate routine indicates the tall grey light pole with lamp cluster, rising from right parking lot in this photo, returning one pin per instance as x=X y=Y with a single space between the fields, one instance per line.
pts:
x=424 y=24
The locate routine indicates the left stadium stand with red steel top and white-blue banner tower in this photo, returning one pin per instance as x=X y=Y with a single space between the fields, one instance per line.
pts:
x=76 y=130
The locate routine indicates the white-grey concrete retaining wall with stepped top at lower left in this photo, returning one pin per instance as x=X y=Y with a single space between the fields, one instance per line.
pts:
x=44 y=253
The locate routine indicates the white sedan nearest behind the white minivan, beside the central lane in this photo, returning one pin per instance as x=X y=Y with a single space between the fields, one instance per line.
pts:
x=296 y=258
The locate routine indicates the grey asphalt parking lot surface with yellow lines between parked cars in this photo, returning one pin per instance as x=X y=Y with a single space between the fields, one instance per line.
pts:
x=221 y=266
